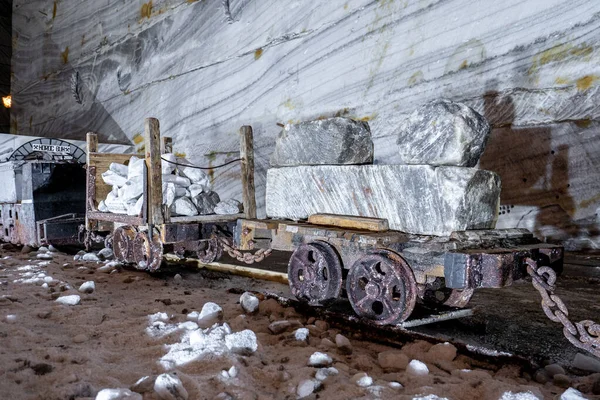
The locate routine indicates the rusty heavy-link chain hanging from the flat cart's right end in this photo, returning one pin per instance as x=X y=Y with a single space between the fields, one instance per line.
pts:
x=585 y=334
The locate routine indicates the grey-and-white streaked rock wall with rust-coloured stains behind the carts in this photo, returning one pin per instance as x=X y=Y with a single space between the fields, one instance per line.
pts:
x=204 y=68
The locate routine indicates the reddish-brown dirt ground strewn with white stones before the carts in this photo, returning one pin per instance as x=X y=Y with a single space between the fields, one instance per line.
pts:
x=50 y=350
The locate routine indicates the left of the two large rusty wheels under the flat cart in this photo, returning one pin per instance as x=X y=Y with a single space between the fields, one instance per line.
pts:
x=315 y=273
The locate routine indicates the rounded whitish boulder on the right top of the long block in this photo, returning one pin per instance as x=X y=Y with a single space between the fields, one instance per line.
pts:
x=443 y=132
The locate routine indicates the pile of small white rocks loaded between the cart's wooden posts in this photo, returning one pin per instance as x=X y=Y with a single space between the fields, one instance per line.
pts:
x=186 y=190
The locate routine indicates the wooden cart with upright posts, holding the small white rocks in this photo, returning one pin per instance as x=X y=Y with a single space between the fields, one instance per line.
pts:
x=142 y=239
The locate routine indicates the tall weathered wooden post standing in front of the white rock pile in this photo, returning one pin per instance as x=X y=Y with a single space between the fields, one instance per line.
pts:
x=153 y=165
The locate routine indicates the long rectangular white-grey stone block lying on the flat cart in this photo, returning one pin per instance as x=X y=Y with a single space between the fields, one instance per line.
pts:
x=417 y=199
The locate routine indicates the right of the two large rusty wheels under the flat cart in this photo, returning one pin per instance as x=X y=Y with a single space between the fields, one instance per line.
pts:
x=381 y=287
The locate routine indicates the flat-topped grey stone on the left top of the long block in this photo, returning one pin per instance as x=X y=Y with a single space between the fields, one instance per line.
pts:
x=329 y=141
